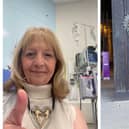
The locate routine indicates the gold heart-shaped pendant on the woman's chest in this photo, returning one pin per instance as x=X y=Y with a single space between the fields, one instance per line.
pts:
x=41 y=117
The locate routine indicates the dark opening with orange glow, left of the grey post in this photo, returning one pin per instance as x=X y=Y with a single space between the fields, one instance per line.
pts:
x=106 y=35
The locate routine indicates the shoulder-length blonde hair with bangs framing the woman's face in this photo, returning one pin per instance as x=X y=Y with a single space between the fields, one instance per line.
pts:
x=59 y=84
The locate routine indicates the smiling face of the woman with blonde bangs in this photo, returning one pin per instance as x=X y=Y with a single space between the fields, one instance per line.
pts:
x=38 y=63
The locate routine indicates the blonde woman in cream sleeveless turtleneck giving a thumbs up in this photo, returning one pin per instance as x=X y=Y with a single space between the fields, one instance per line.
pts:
x=38 y=76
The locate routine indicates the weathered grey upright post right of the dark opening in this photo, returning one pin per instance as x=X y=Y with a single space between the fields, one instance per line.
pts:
x=120 y=8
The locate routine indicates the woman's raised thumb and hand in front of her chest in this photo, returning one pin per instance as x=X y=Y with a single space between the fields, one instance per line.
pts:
x=14 y=119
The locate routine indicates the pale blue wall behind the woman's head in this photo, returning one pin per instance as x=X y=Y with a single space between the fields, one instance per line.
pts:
x=20 y=15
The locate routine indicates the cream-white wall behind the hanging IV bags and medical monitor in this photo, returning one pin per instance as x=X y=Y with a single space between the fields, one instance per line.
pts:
x=84 y=12
